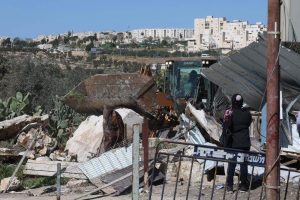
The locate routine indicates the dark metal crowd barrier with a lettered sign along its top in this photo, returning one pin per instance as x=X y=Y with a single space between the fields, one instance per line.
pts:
x=219 y=155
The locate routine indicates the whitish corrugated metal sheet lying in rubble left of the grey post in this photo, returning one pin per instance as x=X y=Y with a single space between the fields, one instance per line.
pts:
x=107 y=162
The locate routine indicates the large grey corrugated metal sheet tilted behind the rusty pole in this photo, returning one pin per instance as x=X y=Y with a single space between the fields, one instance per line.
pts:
x=244 y=72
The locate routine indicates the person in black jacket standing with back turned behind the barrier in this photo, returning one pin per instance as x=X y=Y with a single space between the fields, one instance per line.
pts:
x=238 y=119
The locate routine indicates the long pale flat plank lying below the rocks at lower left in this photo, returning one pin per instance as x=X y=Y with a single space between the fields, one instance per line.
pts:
x=49 y=168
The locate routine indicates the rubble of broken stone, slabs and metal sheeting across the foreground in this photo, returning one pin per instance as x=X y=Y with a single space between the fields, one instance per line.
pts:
x=111 y=171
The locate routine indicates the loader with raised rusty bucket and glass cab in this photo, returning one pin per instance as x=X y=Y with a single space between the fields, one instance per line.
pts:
x=102 y=93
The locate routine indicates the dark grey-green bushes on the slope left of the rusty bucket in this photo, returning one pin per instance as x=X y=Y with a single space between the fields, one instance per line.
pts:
x=42 y=78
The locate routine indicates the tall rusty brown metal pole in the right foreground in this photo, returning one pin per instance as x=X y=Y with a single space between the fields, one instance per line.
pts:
x=272 y=172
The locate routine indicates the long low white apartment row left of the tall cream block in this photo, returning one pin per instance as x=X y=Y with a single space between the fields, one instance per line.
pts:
x=160 y=33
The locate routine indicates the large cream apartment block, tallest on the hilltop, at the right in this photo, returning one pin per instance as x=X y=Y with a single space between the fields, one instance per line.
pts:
x=213 y=32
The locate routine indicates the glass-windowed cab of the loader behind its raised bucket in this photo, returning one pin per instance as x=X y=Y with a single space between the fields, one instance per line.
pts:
x=184 y=82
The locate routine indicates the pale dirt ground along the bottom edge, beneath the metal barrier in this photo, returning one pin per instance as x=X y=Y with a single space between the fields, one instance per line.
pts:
x=70 y=194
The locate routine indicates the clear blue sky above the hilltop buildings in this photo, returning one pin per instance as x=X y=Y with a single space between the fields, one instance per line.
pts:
x=29 y=18
